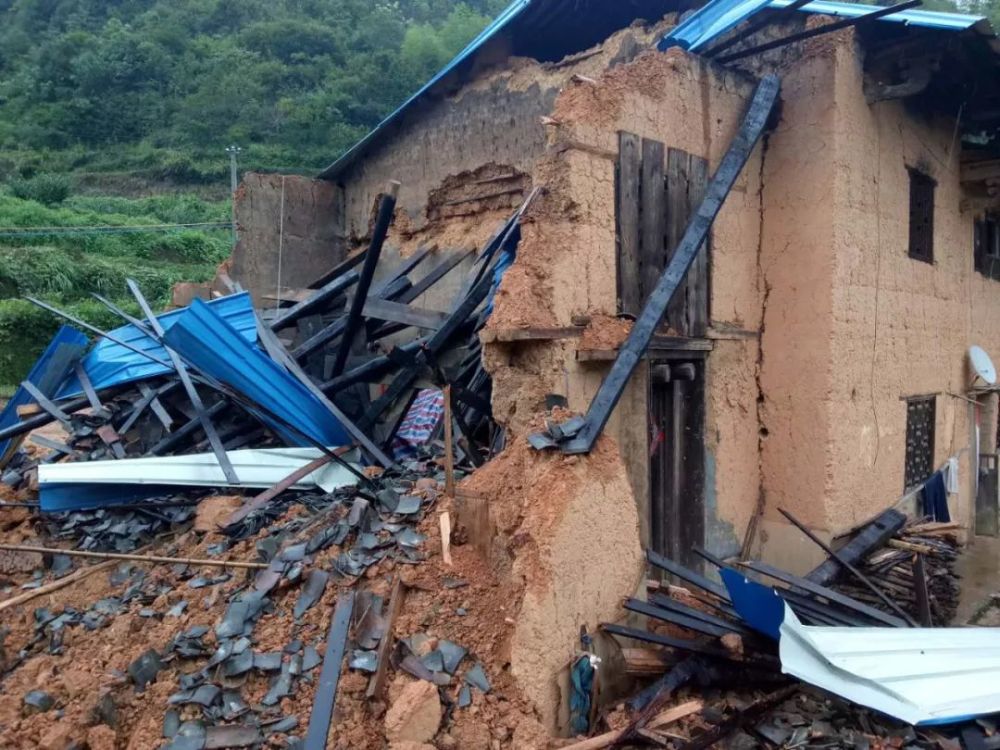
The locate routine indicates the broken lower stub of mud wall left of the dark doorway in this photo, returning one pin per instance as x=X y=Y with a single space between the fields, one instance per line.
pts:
x=551 y=513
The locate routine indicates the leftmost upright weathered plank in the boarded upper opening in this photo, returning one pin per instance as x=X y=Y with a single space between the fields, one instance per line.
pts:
x=628 y=174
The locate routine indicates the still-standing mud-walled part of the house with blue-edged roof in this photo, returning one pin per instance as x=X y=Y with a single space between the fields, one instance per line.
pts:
x=818 y=350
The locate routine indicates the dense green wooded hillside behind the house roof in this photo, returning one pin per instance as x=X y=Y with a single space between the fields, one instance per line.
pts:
x=160 y=87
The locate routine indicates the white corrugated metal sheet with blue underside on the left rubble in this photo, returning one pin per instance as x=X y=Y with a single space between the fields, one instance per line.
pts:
x=92 y=484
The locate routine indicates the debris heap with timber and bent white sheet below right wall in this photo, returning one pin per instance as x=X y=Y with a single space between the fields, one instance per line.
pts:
x=724 y=656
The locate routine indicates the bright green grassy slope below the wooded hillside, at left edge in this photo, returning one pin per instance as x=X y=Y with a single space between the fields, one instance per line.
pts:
x=68 y=270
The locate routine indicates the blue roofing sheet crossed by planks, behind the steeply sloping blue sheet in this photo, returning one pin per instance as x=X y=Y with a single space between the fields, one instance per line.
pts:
x=110 y=364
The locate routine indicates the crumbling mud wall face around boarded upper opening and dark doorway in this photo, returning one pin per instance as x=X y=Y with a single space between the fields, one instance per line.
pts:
x=566 y=267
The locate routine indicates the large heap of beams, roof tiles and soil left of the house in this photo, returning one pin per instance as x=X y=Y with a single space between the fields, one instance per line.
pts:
x=197 y=645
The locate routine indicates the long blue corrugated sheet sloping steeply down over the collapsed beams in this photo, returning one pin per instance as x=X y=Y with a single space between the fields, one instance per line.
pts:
x=217 y=349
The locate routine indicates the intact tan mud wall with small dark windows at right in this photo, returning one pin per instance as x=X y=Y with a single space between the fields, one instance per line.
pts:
x=853 y=325
